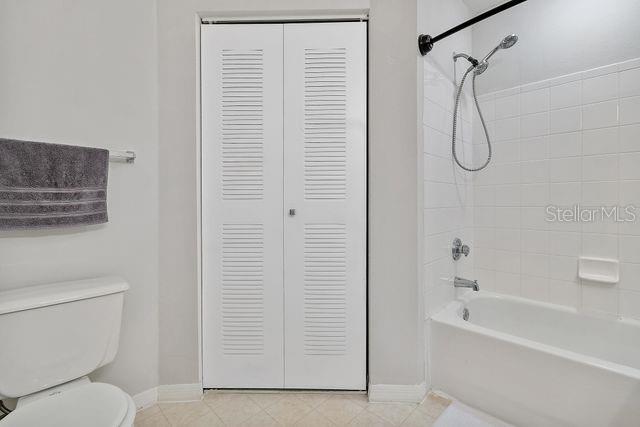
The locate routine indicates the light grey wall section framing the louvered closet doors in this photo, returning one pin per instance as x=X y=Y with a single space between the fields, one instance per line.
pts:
x=395 y=330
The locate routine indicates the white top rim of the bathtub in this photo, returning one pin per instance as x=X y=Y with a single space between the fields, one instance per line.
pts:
x=451 y=315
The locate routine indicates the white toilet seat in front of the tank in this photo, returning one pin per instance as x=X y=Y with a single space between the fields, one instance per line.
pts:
x=92 y=404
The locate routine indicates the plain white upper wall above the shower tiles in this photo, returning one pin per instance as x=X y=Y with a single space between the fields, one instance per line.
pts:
x=557 y=37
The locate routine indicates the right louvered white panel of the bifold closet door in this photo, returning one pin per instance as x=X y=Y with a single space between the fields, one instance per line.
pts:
x=325 y=182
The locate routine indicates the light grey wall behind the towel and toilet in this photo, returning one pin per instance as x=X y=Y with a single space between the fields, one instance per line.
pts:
x=85 y=73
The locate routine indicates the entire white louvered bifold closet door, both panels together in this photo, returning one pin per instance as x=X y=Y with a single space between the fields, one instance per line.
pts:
x=284 y=128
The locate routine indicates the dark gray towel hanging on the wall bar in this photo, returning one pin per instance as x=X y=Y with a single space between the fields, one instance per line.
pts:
x=51 y=185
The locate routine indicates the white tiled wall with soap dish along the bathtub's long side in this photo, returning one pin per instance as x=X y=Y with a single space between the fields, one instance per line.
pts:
x=565 y=141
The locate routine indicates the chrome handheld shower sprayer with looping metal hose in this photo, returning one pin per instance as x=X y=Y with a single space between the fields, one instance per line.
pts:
x=478 y=67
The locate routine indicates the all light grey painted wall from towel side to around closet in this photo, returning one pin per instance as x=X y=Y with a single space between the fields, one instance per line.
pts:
x=96 y=73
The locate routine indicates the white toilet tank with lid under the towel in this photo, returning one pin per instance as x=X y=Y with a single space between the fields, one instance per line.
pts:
x=54 y=333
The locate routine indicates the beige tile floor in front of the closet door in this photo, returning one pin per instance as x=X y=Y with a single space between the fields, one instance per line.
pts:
x=291 y=409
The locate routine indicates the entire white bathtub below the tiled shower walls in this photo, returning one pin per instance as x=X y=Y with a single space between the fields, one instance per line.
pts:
x=537 y=364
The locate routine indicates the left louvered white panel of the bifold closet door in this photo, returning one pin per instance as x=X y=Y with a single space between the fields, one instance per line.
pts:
x=242 y=229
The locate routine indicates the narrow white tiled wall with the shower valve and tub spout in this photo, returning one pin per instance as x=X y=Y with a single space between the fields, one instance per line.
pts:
x=448 y=198
